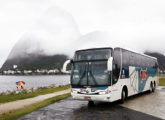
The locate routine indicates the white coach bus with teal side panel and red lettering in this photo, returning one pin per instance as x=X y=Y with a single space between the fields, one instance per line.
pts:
x=107 y=74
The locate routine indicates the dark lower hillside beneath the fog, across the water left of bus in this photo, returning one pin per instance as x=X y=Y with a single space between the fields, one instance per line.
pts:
x=36 y=62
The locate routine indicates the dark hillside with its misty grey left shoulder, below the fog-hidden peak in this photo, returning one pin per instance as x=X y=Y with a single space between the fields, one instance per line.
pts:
x=29 y=55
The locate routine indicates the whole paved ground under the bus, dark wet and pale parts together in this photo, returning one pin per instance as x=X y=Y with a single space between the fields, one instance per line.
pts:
x=69 y=109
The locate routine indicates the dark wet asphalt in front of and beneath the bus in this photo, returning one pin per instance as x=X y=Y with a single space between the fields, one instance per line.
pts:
x=69 y=109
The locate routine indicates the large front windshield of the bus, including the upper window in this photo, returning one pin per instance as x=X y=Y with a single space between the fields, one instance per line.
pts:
x=89 y=68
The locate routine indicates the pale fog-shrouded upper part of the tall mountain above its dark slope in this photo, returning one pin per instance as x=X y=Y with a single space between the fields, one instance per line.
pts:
x=55 y=32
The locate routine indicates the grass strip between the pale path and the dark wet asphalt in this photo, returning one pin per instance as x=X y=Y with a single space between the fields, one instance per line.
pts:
x=21 y=112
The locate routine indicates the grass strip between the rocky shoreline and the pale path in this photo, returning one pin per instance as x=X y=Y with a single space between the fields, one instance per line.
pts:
x=24 y=95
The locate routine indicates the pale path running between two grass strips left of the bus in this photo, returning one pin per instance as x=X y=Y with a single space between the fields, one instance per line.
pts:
x=15 y=105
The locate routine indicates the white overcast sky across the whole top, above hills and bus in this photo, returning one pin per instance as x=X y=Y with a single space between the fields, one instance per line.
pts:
x=138 y=25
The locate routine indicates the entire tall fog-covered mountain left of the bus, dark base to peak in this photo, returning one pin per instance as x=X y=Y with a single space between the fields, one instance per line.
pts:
x=46 y=45
